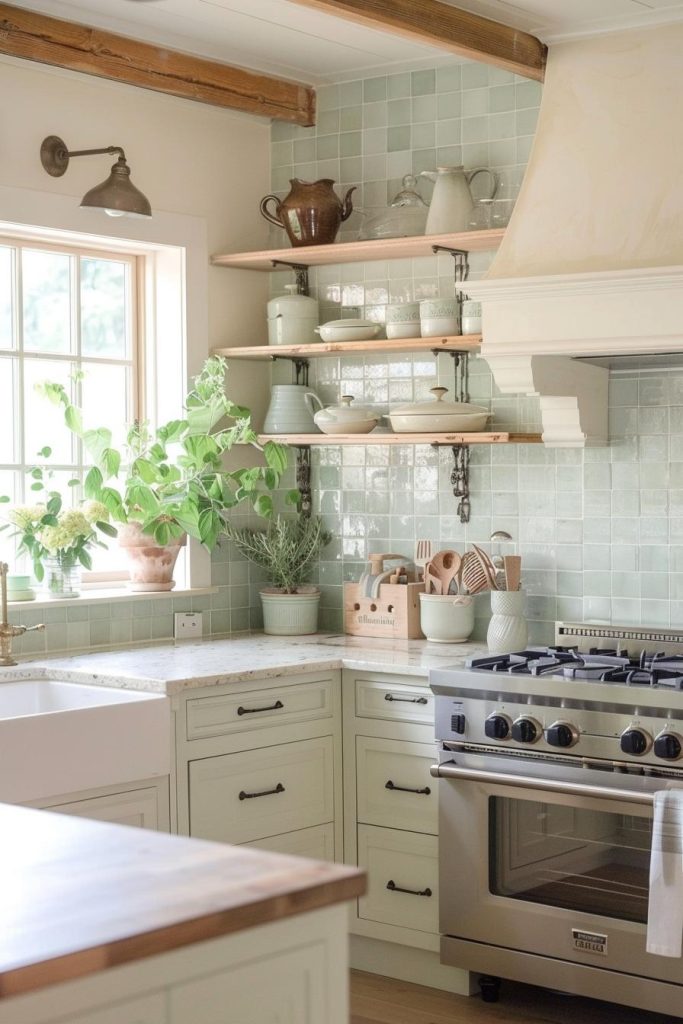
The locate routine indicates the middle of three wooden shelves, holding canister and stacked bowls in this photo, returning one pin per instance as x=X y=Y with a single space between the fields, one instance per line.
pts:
x=453 y=344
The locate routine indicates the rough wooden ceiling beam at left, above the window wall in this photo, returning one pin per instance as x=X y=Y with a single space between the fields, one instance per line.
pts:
x=79 y=48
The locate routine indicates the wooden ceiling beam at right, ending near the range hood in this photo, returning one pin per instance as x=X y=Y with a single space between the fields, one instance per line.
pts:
x=448 y=28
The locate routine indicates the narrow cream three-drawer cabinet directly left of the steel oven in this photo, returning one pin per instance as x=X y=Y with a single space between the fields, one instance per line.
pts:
x=391 y=806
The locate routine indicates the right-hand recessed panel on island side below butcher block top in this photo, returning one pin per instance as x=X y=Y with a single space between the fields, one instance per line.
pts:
x=283 y=990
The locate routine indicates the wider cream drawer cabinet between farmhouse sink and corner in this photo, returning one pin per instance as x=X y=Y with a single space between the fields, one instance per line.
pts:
x=260 y=763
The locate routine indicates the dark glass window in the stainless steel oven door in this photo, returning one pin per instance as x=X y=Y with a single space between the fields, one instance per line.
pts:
x=573 y=858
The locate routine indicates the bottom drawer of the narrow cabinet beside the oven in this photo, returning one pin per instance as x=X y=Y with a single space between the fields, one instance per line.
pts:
x=400 y=861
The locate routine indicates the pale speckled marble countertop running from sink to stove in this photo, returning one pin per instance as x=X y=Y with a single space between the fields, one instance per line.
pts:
x=170 y=669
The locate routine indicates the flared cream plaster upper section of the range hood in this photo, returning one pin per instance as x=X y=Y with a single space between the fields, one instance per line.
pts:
x=603 y=187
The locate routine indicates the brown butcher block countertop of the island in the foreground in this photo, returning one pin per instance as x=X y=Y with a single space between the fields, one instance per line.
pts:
x=78 y=897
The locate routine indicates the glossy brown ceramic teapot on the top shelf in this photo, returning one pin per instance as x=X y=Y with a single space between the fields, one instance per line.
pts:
x=312 y=214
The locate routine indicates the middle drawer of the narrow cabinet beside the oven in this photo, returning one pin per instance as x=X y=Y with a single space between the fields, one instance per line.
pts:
x=395 y=788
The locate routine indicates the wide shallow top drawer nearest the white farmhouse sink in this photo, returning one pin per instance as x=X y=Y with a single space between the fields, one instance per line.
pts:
x=222 y=716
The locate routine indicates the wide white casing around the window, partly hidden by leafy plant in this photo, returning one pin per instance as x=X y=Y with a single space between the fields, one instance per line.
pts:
x=175 y=331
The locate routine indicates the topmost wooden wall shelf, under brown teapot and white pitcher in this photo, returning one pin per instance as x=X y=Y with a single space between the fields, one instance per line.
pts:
x=361 y=252
